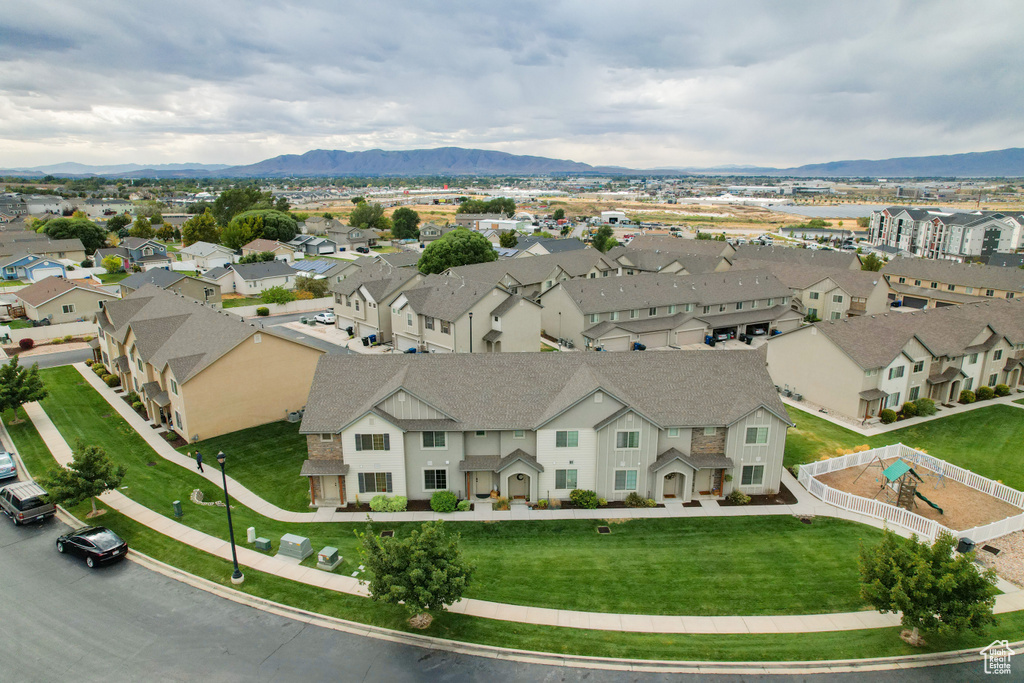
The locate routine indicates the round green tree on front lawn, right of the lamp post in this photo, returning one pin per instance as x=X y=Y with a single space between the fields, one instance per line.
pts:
x=425 y=572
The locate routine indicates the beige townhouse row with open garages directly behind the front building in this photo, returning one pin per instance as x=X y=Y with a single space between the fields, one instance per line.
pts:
x=667 y=311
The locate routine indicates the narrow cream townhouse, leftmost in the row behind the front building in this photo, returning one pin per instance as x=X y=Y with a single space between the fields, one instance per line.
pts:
x=362 y=302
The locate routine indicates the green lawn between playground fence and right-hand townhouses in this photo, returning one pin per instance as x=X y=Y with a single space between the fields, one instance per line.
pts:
x=987 y=441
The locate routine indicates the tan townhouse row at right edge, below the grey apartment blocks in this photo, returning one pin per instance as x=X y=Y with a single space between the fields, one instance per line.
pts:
x=920 y=283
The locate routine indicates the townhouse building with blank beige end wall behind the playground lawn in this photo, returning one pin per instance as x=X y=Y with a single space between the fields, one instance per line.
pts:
x=859 y=366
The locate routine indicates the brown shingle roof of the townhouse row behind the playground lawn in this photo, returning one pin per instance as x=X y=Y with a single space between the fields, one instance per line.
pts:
x=873 y=341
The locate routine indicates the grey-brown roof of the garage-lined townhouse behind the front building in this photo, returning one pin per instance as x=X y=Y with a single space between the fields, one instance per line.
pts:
x=648 y=290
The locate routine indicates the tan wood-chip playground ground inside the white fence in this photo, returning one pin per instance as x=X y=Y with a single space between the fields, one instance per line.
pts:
x=963 y=507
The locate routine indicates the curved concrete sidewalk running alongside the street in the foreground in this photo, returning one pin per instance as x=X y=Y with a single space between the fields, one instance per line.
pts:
x=483 y=609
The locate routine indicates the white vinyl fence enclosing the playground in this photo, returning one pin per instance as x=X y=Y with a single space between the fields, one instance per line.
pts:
x=899 y=517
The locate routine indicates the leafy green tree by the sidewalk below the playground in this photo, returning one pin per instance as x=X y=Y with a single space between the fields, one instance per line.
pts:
x=934 y=590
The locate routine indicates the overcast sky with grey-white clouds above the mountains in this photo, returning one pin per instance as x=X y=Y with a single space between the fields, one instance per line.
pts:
x=638 y=84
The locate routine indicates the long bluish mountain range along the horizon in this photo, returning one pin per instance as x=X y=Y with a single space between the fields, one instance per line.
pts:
x=459 y=161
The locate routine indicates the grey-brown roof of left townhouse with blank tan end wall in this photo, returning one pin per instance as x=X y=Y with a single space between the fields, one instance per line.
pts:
x=177 y=331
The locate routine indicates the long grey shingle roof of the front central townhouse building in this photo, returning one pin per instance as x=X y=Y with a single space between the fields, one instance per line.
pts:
x=528 y=391
